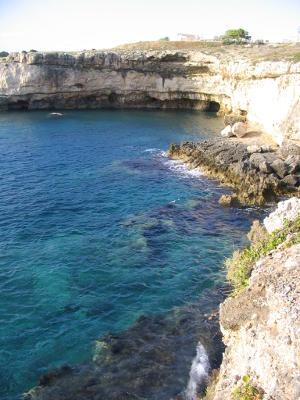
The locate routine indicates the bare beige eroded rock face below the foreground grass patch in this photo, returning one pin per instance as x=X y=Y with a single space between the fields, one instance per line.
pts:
x=261 y=330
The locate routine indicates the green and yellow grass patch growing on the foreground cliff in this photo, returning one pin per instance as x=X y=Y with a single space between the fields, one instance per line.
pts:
x=240 y=266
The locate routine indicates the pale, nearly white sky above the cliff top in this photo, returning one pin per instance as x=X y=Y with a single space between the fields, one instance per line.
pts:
x=49 y=25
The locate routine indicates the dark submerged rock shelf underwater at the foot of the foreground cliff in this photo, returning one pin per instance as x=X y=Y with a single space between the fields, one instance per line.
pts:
x=153 y=360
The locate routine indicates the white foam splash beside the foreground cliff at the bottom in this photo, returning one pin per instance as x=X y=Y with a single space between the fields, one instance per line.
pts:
x=198 y=373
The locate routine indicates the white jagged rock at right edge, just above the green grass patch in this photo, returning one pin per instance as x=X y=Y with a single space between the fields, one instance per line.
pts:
x=286 y=210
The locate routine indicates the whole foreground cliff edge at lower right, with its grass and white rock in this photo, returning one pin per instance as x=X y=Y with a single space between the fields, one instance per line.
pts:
x=260 y=322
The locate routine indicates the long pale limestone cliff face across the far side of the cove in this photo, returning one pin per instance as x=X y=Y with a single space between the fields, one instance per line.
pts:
x=267 y=92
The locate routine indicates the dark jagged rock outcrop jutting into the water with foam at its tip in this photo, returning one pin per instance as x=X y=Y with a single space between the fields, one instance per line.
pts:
x=258 y=177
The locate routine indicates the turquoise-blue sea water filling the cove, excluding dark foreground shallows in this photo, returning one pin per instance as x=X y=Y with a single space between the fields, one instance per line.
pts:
x=99 y=227
